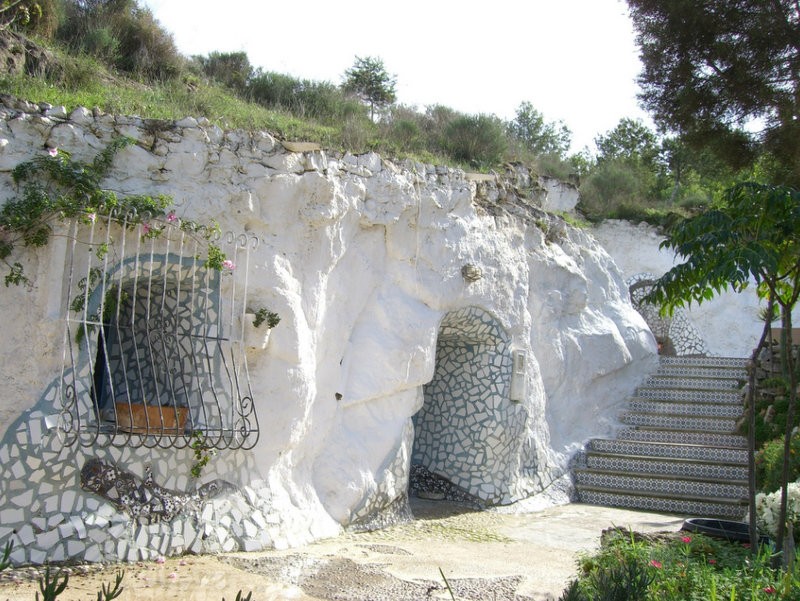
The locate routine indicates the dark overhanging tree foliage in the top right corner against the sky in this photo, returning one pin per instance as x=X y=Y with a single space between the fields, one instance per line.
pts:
x=725 y=74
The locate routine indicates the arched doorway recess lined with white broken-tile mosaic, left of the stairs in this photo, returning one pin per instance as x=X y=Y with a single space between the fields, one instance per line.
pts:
x=468 y=432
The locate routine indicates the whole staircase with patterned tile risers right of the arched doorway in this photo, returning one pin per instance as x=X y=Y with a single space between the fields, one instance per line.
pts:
x=679 y=452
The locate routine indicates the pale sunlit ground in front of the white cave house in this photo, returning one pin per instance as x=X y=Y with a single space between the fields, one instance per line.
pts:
x=482 y=555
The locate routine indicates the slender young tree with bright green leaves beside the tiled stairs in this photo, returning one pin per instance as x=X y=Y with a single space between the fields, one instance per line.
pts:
x=753 y=236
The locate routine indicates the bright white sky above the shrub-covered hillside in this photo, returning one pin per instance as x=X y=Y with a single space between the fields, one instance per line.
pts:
x=574 y=60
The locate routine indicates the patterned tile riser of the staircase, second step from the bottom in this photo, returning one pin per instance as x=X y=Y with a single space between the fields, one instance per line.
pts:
x=685 y=488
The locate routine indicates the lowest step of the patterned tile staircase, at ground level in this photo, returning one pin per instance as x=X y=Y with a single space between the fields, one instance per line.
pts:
x=689 y=507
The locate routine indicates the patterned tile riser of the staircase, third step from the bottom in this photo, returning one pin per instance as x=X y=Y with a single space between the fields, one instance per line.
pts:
x=665 y=467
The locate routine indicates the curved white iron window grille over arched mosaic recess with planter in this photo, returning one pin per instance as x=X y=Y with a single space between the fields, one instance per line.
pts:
x=154 y=351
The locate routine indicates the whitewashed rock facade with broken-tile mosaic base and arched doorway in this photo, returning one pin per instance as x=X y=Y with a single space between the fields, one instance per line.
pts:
x=403 y=290
